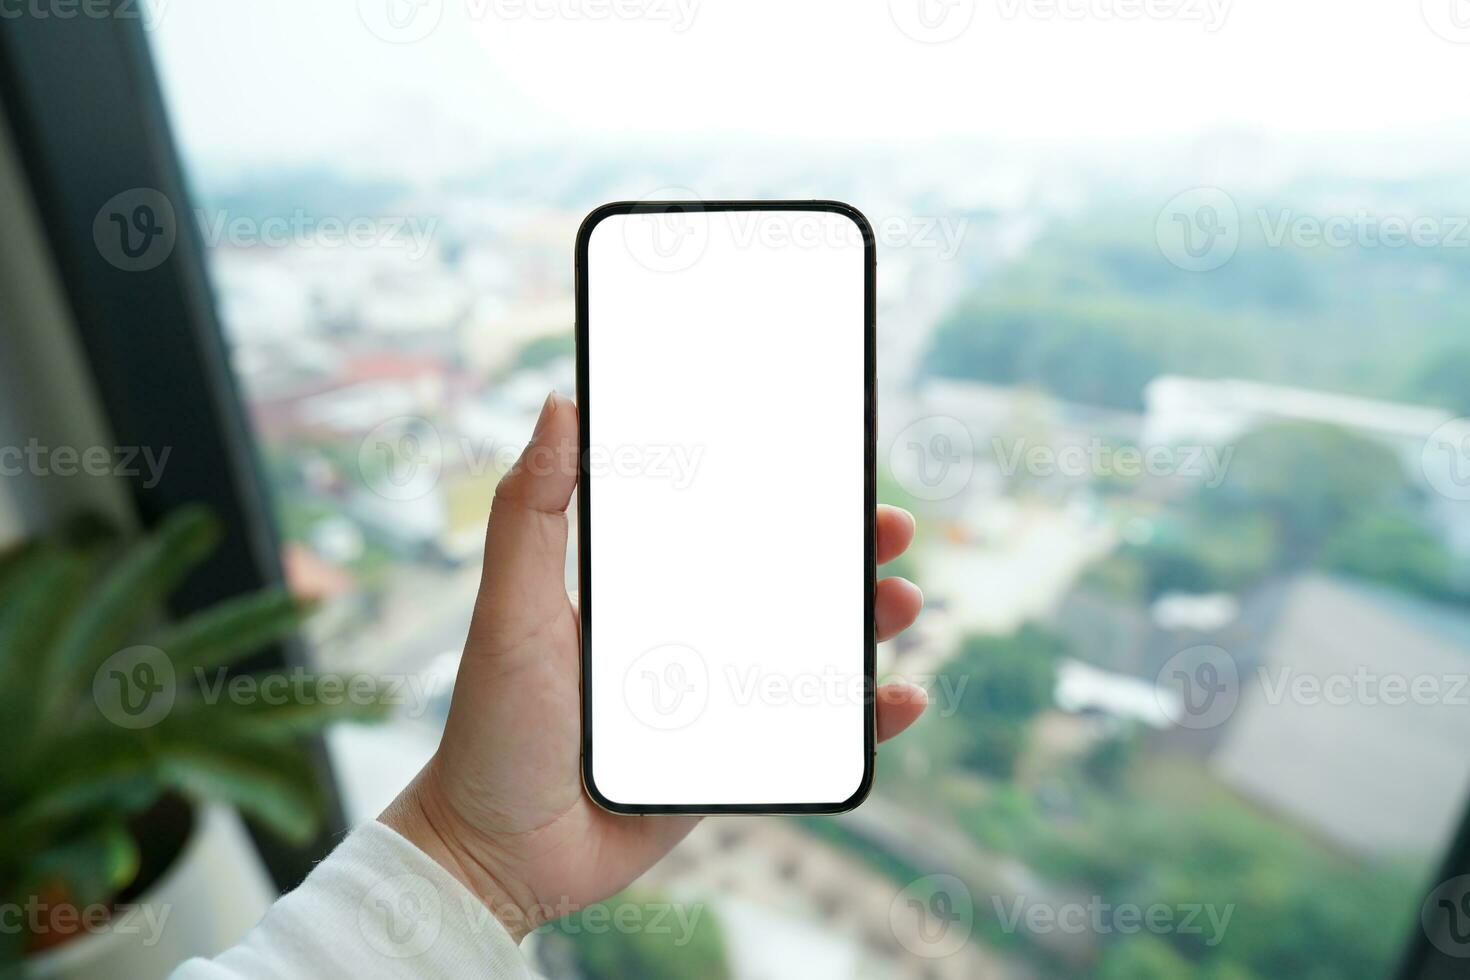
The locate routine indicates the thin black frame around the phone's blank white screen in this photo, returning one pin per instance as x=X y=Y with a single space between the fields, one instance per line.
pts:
x=870 y=531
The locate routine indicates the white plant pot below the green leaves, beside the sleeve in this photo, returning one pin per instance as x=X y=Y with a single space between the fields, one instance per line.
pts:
x=205 y=903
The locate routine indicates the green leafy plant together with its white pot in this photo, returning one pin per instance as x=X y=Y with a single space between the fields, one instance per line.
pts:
x=129 y=750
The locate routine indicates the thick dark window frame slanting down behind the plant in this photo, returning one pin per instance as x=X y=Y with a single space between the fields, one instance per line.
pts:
x=87 y=115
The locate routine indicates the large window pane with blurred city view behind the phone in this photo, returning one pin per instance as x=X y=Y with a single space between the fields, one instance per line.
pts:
x=1172 y=372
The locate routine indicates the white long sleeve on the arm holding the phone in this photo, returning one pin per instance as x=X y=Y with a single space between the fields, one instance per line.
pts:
x=377 y=907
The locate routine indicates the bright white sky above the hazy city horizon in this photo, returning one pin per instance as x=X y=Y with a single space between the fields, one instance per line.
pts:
x=305 y=80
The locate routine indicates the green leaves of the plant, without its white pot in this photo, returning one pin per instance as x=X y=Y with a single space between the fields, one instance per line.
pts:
x=77 y=775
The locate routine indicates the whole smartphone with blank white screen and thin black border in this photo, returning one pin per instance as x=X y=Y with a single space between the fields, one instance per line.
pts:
x=725 y=356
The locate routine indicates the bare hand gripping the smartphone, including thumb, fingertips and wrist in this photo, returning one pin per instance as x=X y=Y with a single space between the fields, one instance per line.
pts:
x=501 y=806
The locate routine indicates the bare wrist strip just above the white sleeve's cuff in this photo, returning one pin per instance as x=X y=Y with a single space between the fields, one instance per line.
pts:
x=424 y=818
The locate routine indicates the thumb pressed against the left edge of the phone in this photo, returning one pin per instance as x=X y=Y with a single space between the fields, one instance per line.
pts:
x=526 y=547
